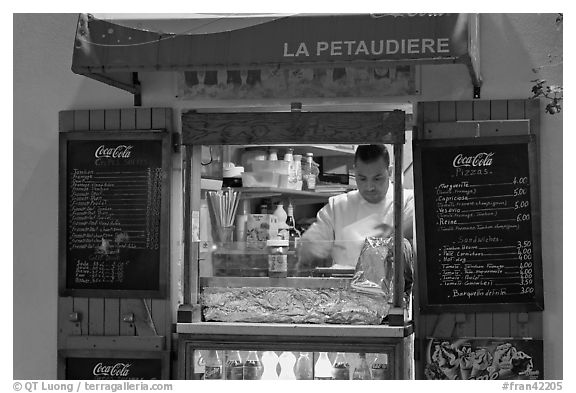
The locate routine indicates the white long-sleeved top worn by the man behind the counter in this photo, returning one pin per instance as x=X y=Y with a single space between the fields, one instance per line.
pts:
x=346 y=220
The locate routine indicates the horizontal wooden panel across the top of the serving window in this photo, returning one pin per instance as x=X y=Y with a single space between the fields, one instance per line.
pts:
x=285 y=127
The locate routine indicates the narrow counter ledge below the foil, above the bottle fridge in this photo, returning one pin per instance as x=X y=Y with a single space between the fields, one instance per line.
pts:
x=282 y=329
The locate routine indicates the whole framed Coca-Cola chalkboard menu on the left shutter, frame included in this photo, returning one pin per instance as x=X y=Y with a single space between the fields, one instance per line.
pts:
x=114 y=213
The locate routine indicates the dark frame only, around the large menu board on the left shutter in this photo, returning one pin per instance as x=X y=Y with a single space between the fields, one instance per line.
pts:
x=140 y=135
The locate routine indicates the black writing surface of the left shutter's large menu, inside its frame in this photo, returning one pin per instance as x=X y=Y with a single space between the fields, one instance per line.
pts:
x=113 y=219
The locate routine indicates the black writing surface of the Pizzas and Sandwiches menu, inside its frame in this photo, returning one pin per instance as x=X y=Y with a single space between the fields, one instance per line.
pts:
x=479 y=242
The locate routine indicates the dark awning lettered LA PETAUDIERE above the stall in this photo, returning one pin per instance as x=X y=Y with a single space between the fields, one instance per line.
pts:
x=114 y=50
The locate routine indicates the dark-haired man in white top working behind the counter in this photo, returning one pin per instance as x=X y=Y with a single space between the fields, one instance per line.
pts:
x=347 y=219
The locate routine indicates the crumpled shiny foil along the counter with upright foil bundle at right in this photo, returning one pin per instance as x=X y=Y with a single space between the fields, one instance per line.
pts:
x=366 y=302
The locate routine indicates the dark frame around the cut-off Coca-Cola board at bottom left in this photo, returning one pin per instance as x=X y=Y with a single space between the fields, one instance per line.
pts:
x=163 y=356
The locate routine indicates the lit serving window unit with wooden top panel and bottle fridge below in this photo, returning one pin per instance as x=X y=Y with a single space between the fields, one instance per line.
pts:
x=231 y=303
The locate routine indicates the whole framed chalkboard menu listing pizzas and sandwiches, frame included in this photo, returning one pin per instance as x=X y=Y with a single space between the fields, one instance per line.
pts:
x=478 y=224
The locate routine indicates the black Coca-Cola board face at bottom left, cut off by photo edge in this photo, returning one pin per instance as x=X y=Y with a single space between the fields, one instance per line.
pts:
x=113 y=365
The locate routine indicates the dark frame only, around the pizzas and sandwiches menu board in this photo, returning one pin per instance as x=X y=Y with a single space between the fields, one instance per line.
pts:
x=530 y=141
